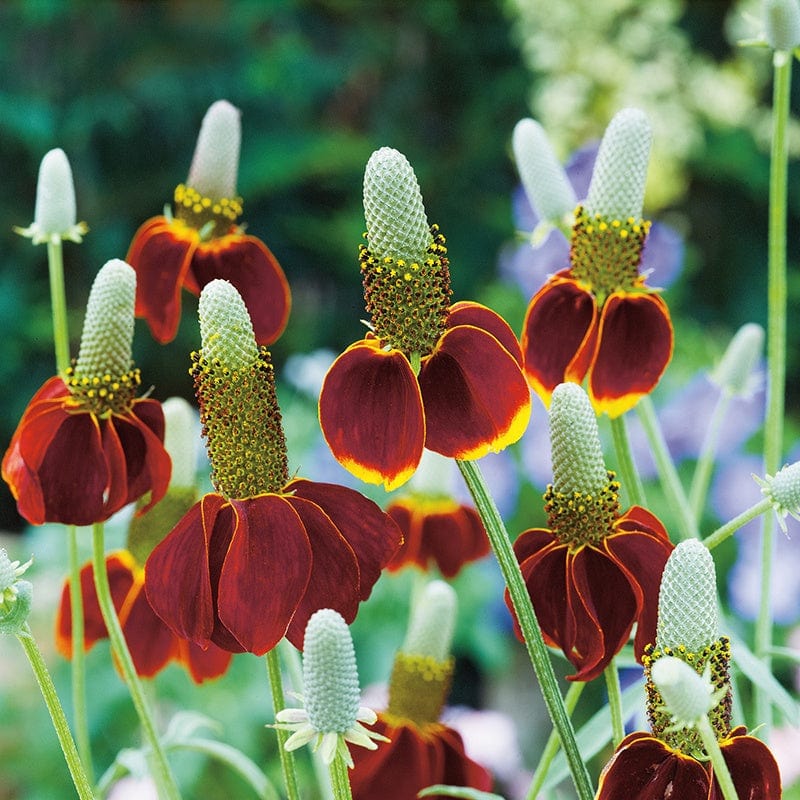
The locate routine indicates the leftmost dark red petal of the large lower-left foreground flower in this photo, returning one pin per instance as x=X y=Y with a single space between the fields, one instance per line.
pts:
x=177 y=573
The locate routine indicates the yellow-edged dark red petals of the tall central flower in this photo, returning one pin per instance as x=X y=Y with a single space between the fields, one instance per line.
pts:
x=469 y=398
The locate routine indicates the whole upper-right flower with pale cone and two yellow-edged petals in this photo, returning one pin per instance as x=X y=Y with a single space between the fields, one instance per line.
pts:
x=596 y=319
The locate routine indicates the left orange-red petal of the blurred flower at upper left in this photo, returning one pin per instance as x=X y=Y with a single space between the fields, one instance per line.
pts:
x=161 y=252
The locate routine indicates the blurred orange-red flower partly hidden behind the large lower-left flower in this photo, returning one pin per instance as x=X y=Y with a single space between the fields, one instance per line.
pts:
x=151 y=643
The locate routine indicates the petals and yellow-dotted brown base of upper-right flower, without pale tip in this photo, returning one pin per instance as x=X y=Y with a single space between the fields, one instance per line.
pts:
x=598 y=320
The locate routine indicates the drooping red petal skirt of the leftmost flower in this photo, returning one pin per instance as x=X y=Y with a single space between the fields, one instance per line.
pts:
x=72 y=461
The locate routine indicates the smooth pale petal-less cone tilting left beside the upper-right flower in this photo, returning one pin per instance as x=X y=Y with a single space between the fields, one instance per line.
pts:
x=543 y=178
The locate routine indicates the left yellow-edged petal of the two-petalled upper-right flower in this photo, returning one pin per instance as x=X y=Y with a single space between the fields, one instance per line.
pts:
x=558 y=335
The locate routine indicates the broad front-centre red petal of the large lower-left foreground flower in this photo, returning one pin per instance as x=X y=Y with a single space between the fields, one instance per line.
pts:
x=265 y=573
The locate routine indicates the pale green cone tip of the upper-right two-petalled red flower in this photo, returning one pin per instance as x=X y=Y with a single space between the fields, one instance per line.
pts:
x=618 y=180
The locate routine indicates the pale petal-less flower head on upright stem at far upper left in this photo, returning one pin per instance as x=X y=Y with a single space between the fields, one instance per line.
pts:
x=54 y=216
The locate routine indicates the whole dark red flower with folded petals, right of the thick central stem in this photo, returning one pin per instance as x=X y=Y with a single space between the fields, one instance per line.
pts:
x=595 y=571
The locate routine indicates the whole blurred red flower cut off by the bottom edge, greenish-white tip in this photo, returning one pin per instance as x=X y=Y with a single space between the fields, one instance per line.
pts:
x=422 y=750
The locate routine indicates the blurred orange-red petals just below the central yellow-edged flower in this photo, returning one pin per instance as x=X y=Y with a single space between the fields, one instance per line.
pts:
x=437 y=530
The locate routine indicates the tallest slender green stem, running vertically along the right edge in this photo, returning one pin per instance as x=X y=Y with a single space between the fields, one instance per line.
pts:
x=776 y=352
